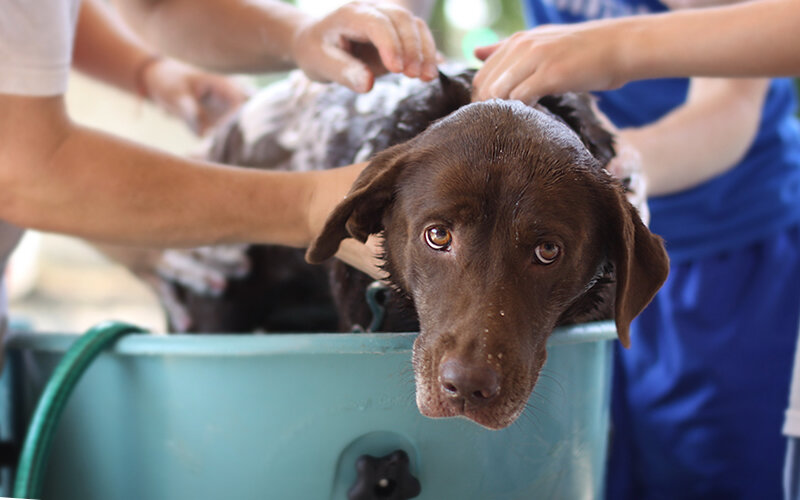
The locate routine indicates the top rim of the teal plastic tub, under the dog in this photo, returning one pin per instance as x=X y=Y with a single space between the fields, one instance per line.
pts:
x=275 y=343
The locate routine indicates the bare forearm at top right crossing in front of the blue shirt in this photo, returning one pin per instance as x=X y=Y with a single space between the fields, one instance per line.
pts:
x=758 y=38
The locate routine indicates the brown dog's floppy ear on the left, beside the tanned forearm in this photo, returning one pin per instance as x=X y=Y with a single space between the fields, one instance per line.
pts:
x=361 y=212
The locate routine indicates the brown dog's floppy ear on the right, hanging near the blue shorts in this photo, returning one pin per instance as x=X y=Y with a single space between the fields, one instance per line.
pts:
x=640 y=262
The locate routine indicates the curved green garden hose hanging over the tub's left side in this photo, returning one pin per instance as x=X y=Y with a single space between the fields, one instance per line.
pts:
x=33 y=458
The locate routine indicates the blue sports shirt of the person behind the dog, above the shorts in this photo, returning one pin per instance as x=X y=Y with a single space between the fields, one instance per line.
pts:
x=756 y=198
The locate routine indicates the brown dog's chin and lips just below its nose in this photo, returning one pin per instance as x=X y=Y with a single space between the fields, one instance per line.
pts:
x=493 y=416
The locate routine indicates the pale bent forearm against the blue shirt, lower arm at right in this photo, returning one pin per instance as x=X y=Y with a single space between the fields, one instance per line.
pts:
x=703 y=138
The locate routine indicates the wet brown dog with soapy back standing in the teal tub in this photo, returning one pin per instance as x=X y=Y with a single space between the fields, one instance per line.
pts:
x=499 y=223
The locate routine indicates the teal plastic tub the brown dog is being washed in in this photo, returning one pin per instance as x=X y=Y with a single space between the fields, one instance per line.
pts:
x=288 y=416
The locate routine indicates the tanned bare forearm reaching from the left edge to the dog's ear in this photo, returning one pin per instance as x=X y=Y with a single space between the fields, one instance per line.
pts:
x=101 y=188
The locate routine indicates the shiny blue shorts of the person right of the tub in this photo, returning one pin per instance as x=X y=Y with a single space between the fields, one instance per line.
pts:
x=699 y=398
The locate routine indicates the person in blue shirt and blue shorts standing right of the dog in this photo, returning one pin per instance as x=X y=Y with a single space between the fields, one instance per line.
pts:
x=698 y=399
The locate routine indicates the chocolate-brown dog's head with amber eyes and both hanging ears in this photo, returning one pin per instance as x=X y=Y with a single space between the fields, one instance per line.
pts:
x=497 y=222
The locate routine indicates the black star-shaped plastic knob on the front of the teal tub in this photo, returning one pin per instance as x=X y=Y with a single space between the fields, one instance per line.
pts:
x=384 y=478
